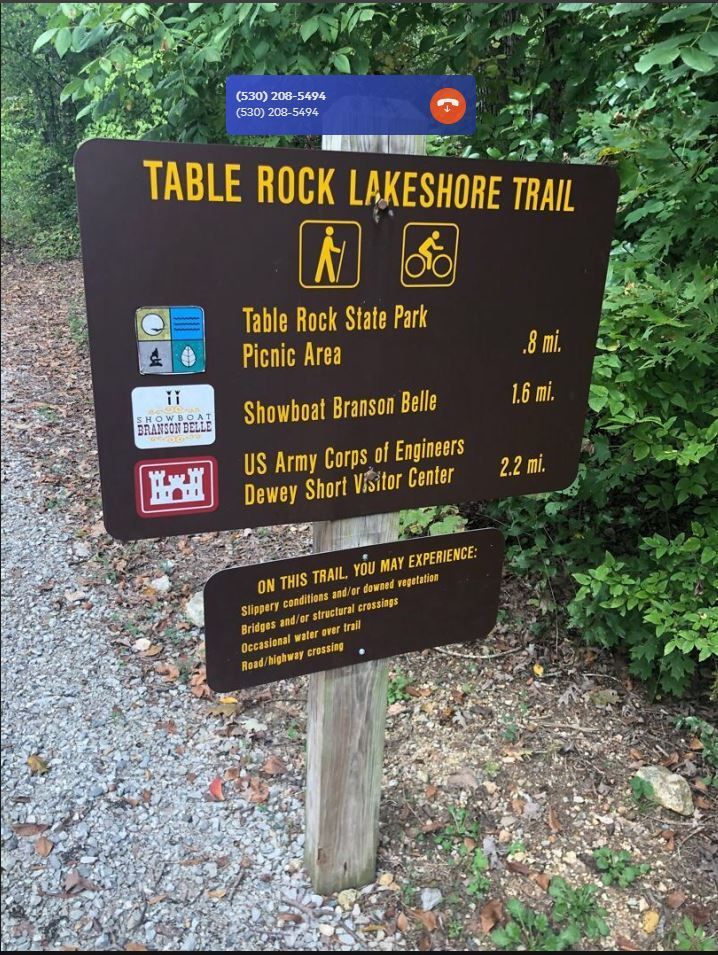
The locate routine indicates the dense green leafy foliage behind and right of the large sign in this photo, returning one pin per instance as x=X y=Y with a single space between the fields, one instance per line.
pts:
x=631 y=84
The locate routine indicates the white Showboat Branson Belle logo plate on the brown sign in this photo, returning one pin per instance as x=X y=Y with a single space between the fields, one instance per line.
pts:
x=173 y=416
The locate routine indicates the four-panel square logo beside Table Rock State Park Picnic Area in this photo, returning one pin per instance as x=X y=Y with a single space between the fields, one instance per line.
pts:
x=170 y=340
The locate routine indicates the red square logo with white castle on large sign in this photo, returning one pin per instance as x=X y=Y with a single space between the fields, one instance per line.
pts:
x=176 y=486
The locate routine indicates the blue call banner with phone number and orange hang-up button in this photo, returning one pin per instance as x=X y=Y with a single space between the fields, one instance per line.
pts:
x=343 y=105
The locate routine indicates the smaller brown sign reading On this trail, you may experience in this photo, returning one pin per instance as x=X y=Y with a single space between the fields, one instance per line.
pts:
x=280 y=619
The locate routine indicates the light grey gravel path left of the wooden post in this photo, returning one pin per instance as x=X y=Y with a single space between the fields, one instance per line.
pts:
x=126 y=802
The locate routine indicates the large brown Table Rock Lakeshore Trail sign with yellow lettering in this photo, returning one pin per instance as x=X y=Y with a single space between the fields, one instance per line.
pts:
x=362 y=360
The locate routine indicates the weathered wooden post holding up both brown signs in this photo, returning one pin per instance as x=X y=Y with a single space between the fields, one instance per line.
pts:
x=347 y=707
